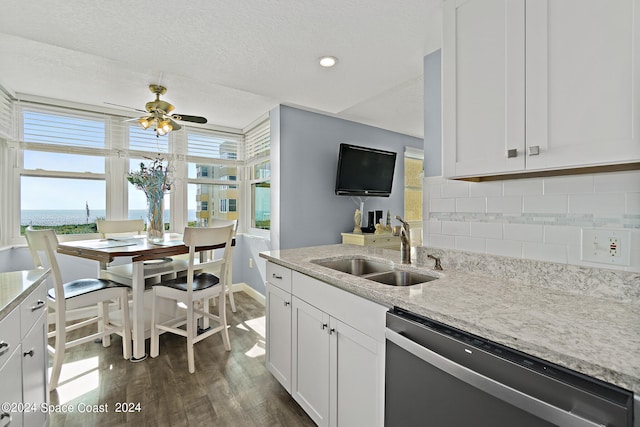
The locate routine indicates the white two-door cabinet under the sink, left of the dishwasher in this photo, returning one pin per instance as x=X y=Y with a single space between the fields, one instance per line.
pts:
x=337 y=354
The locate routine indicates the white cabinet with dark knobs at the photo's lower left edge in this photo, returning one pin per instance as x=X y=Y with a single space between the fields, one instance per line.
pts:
x=23 y=374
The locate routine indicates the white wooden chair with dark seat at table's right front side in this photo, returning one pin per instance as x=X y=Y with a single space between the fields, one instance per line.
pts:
x=194 y=290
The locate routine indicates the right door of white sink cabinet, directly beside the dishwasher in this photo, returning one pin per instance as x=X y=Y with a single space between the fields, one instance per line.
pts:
x=357 y=378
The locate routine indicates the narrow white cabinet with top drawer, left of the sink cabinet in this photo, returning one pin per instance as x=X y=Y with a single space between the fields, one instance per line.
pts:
x=278 y=322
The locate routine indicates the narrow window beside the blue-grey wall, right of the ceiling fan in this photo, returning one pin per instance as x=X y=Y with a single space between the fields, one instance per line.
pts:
x=257 y=142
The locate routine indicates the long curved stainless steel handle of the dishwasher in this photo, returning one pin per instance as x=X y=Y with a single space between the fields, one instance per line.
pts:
x=527 y=403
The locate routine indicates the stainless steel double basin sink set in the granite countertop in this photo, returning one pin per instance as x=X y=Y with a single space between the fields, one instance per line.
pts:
x=377 y=271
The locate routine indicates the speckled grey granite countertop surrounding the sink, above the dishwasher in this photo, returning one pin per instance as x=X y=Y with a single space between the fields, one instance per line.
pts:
x=588 y=333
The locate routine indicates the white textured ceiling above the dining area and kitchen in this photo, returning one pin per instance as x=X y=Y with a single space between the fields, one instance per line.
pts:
x=230 y=61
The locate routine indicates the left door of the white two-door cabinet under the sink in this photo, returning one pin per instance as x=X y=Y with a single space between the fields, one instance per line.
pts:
x=310 y=360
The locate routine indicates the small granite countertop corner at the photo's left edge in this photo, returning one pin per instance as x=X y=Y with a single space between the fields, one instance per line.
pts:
x=15 y=286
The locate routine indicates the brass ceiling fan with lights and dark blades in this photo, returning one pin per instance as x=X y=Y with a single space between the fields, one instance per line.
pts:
x=158 y=114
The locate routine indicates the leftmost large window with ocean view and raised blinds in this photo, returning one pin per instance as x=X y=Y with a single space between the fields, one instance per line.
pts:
x=62 y=176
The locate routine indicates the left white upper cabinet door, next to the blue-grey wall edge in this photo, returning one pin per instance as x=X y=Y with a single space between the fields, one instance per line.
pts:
x=483 y=75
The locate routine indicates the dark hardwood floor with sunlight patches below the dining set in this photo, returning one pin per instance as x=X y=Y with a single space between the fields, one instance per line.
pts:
x=228 y=388
